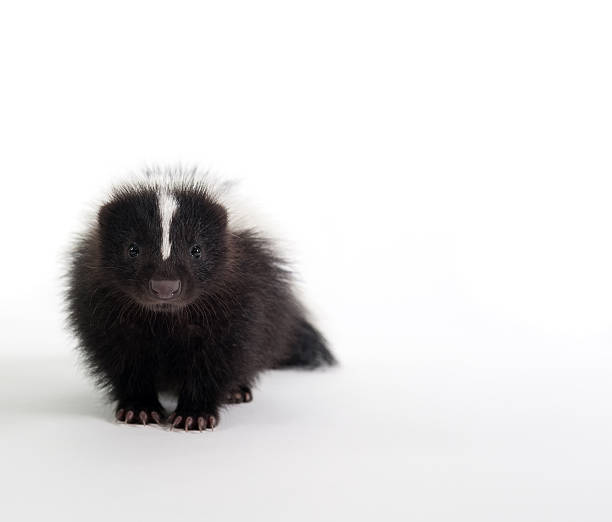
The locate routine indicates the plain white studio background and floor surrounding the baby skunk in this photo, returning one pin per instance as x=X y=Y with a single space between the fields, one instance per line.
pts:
x=440 y=174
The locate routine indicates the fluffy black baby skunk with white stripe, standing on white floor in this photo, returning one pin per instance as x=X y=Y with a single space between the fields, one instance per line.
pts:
x=164 y=297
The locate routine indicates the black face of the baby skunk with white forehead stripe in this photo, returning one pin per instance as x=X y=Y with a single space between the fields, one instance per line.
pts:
x=162 y=248
